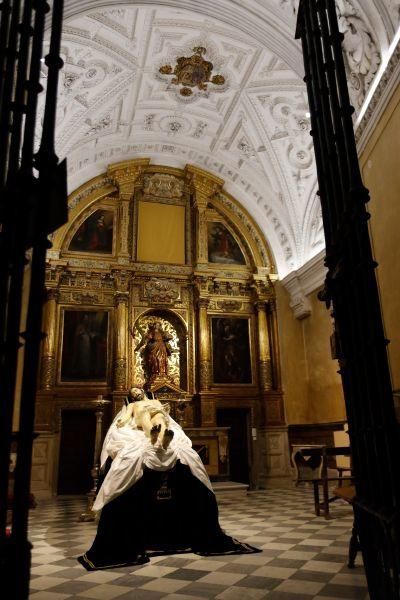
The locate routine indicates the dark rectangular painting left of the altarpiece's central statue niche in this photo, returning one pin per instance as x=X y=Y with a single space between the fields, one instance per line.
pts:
x=84 y=348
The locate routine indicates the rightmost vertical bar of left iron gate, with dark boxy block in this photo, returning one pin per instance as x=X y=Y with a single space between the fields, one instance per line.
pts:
x=52 y=190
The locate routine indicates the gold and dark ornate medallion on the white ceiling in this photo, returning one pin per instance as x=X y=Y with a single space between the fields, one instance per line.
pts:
x=191 y=72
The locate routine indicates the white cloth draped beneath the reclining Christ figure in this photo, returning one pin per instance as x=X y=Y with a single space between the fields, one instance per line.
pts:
x=131 y=451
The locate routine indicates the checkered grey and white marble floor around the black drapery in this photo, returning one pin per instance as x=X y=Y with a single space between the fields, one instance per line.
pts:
x=304 y=557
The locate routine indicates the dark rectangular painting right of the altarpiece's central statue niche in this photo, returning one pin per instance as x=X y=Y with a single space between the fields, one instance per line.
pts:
x=231 y=350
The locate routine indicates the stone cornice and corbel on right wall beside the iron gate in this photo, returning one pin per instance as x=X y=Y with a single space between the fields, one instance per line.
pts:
x=301 y=283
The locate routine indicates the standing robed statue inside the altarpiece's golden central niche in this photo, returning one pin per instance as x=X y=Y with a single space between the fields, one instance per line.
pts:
x=155 y=349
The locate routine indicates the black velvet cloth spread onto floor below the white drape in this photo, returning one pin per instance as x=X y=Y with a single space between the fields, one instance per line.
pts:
x=164 y=512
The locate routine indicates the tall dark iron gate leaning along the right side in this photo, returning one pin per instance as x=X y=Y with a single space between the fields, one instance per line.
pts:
x=351 y=290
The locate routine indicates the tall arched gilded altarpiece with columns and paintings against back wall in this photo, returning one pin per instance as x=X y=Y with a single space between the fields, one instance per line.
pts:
x=206 y=286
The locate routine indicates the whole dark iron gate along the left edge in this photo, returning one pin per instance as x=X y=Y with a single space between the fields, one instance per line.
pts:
x=31 y=207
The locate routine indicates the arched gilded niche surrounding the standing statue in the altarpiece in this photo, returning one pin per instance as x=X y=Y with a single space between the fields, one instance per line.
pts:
x=171 y=332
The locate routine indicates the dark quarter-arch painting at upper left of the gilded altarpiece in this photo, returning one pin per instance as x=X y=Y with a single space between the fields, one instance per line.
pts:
x=95 y=234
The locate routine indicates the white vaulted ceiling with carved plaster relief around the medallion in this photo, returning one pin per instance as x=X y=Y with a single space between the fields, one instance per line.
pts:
x=251 y=127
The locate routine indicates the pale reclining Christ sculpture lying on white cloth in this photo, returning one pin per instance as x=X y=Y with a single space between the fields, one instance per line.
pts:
x=150 y=415
